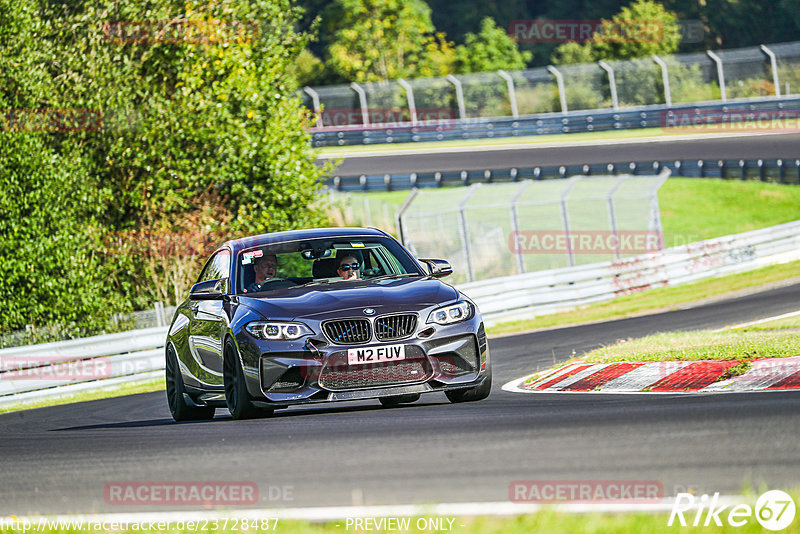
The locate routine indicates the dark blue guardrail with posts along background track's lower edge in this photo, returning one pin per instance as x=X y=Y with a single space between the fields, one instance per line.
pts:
x=785 y=171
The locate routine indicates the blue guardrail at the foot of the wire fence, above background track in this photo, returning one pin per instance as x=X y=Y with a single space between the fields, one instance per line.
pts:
x=652 y=116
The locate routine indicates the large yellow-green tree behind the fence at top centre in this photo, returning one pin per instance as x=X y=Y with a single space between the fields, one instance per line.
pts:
x=375 y=40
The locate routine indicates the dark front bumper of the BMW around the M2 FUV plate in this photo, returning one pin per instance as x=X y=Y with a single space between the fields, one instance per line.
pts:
x=316 y=370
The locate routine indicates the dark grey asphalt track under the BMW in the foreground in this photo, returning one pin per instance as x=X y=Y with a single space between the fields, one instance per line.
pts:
x=59 y=459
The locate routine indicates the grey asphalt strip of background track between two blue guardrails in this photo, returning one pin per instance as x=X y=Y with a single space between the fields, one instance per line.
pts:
x=711 y=148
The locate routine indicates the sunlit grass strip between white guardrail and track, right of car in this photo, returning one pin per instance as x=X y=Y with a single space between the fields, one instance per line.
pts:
x=660 y=299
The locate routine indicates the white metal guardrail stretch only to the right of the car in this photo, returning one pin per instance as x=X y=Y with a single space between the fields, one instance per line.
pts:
x=527 y=295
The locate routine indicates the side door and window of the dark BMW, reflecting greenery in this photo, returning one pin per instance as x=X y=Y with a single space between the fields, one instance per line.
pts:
x=208 y=322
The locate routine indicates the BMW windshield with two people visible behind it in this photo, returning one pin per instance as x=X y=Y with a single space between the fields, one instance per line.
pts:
x=284 y=265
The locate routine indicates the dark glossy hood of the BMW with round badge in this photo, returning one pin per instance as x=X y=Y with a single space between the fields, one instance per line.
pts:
x=322 y=301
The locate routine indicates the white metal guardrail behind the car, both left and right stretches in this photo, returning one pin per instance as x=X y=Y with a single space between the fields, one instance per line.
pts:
x=96 y=362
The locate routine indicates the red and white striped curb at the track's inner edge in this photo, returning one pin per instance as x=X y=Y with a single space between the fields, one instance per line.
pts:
x=639 y=377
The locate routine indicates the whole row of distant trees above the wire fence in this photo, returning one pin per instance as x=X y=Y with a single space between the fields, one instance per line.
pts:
x=360 y=40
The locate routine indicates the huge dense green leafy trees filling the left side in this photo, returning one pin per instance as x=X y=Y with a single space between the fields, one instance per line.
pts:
x=199 y=134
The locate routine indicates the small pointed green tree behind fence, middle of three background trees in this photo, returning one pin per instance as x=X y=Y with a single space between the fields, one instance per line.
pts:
x=491 y=49
